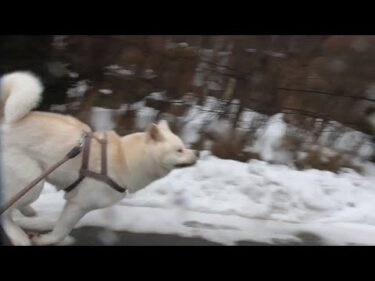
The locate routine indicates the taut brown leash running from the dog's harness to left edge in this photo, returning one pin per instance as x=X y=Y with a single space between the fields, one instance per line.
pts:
x=70 y=155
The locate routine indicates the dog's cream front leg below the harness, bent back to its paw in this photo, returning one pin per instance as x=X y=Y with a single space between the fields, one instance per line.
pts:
x=69 y=217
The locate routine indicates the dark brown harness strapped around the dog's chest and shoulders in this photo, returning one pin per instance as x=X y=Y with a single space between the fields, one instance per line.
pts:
x=85 y=172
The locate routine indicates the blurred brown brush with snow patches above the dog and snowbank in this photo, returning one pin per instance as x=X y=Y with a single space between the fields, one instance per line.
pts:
x=299 y=100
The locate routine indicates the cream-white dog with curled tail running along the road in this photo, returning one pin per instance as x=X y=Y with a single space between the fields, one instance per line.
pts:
x=33 y=141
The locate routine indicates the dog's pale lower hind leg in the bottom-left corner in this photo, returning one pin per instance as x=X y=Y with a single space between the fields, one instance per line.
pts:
x=15 y=233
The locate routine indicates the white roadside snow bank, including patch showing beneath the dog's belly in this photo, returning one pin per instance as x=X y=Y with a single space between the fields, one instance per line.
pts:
x=227 y=201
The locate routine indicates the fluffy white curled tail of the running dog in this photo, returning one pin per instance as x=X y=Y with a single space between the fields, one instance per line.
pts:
x=20 y=92
